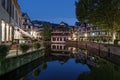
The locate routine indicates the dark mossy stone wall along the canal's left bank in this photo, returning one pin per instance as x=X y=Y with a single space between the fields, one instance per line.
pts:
x=10 y=64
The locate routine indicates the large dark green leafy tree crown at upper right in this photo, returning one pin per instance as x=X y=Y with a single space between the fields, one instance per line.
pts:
x=103 y=13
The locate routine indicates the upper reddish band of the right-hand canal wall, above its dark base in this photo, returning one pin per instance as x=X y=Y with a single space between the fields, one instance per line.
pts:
x=98 y=46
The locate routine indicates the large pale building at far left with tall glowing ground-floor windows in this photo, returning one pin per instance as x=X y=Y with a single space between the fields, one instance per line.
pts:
x=10 y=17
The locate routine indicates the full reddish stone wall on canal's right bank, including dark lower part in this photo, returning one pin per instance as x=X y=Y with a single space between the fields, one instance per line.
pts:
x=106 y=51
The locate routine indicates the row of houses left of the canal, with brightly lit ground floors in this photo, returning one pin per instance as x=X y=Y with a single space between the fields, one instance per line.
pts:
x=16 y=25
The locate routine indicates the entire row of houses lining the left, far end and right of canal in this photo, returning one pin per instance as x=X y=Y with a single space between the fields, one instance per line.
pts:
x=17 y=25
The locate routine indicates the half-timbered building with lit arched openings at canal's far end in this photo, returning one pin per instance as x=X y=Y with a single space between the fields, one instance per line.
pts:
x=60 y=33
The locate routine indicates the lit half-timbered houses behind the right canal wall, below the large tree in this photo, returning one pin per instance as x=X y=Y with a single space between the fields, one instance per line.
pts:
x=90 y=33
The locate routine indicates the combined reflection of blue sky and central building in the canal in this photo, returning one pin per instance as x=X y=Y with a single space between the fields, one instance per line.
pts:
x=60 y=65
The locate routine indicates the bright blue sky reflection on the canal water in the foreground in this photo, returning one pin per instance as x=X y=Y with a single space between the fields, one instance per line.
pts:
x=56 y=71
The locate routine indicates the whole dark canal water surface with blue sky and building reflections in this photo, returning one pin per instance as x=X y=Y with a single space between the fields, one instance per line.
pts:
x=62 y=62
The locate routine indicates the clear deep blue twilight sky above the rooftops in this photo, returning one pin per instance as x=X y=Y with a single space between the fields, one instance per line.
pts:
x=50 y=10
